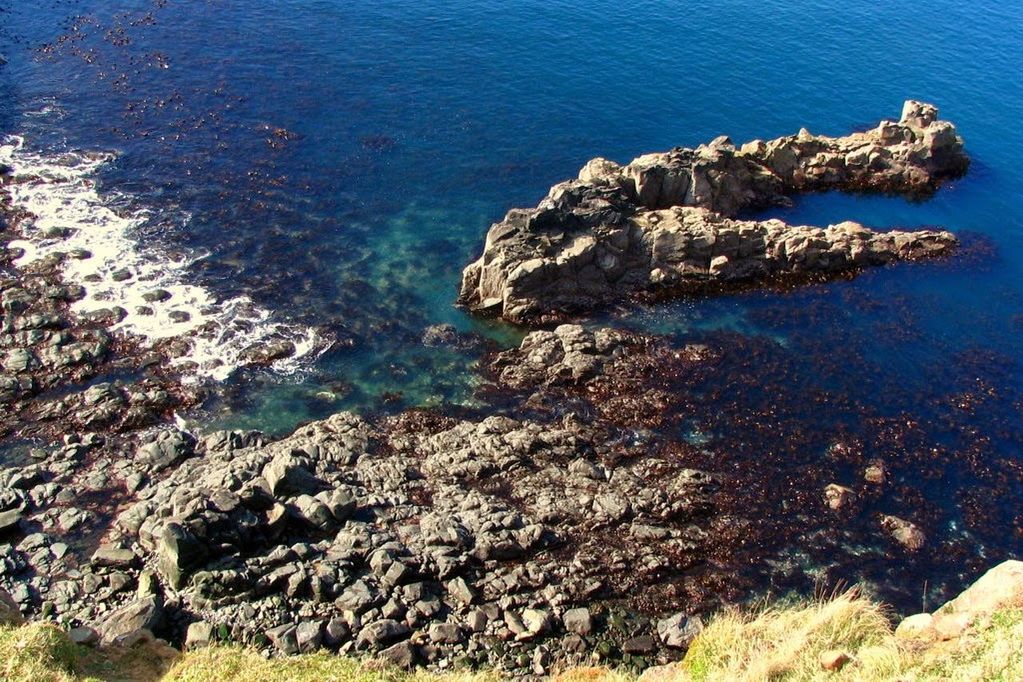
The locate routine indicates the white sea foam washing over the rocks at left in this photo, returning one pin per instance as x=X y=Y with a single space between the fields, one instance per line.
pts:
x=70 y=216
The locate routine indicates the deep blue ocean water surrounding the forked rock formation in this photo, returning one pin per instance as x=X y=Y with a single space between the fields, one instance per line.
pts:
x=323 y=170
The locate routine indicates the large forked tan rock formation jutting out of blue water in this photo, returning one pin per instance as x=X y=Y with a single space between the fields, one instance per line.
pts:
x=668 y=221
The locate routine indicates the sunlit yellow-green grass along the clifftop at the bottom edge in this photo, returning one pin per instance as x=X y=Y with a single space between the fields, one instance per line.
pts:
x=780 y=643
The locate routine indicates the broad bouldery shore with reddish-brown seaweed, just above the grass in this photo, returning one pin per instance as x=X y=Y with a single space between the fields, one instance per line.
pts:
x=591 y=524
